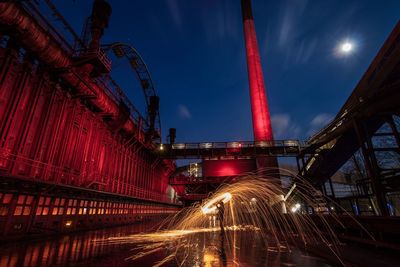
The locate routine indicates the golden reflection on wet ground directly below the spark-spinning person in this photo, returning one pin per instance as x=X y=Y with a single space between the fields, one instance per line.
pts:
x=244 y=249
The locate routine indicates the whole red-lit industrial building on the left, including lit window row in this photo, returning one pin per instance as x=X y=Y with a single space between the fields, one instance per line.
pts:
x=73 y=152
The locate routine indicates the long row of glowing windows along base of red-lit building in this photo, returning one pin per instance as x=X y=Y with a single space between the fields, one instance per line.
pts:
x=60 y=206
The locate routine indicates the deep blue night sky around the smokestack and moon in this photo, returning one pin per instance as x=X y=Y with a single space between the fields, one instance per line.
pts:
x=194 y=50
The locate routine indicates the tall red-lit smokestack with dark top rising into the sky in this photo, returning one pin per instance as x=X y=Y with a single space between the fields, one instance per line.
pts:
x=262 y=129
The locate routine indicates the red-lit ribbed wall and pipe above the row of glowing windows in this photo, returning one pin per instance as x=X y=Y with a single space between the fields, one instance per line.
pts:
x=49 y=134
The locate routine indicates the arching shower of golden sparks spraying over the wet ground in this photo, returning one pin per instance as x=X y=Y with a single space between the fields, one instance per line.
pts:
x=255 y=204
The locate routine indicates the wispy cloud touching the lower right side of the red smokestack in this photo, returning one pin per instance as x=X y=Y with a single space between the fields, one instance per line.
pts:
x=284 y=127
